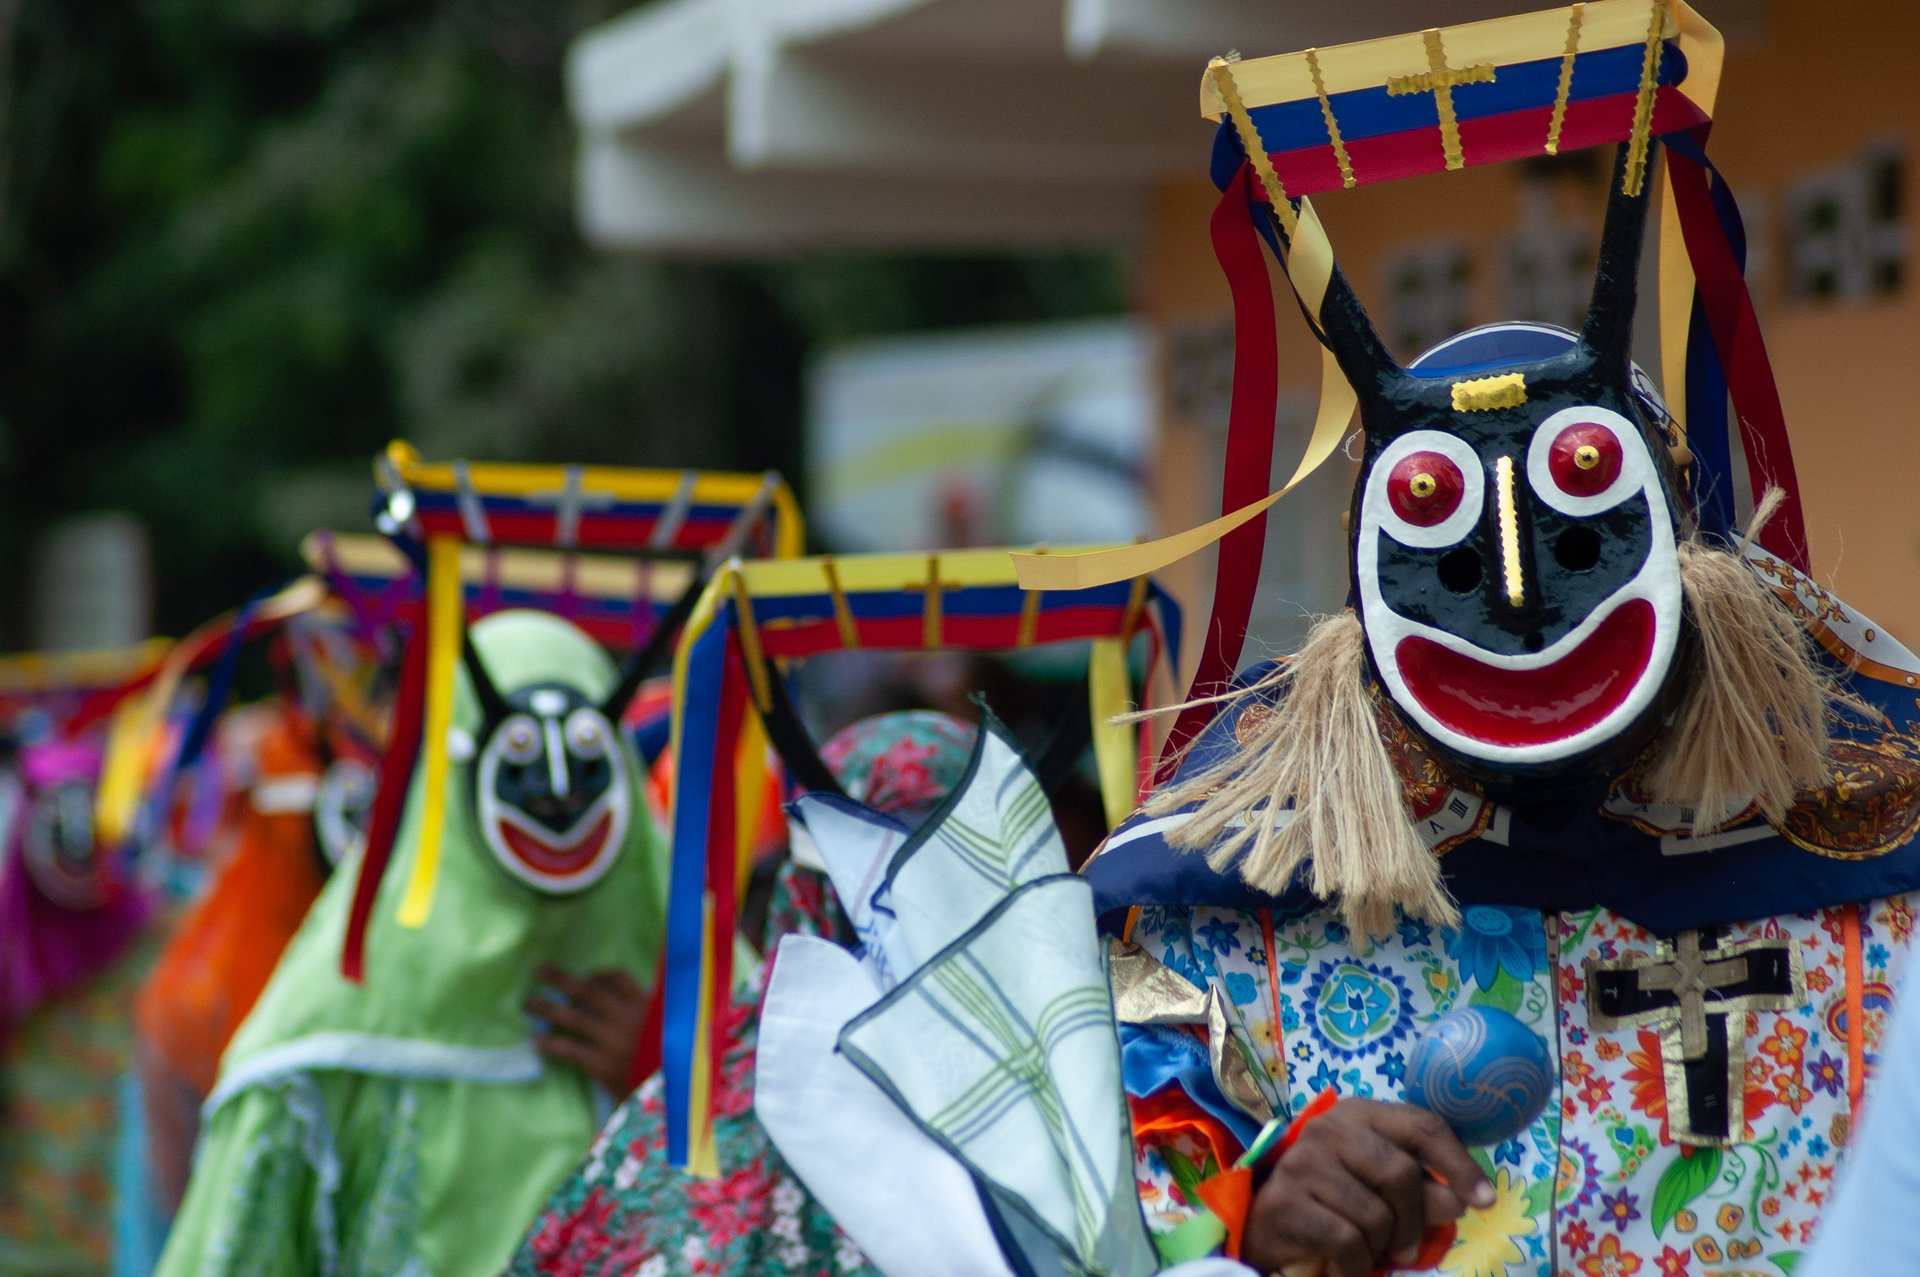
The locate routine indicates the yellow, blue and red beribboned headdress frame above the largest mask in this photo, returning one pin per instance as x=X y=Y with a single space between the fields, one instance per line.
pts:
x=1426 y=103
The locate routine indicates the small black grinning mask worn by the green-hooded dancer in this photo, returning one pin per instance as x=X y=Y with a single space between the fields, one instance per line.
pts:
x=554 y=786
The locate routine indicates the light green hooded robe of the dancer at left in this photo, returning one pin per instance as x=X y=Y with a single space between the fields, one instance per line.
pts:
x=406 y=1124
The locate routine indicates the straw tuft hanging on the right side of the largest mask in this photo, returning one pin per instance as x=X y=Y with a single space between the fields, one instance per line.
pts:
x=1754 y=719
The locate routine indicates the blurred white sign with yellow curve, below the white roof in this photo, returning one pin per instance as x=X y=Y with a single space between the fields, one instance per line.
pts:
x=982 y=439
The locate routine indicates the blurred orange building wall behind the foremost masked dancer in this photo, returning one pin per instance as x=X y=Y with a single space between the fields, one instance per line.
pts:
x=1808 y=89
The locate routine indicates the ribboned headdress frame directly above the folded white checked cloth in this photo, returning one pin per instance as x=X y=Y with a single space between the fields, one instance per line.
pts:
x=757 y=615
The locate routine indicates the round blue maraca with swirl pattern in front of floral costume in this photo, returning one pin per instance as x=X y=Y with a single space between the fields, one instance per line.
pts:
x=1481 y=1071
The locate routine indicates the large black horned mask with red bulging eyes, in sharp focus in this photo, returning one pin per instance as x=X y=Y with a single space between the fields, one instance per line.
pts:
x=1514 y=539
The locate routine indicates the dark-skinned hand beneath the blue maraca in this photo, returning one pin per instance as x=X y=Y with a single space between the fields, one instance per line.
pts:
x=1355 y=1193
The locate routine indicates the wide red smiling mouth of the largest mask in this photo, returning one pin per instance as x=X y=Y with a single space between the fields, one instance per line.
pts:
x=1533 y=708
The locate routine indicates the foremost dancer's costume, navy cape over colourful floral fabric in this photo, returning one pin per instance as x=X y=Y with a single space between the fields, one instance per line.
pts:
x=1579 y=919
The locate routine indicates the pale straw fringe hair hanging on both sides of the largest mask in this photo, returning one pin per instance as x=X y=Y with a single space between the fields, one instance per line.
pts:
x=1750 y=729
